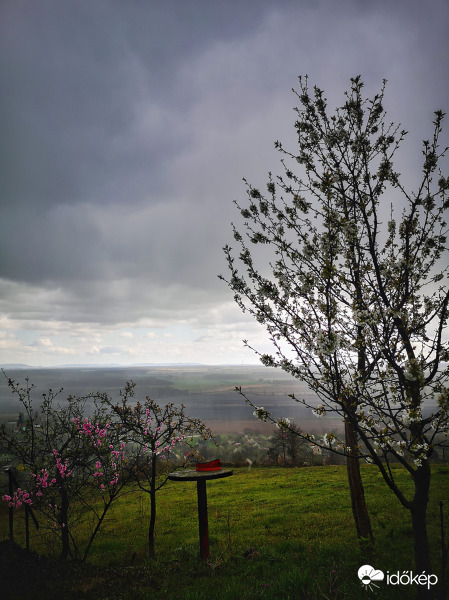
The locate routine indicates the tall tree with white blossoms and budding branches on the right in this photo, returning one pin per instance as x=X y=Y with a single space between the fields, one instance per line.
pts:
x=355 y=298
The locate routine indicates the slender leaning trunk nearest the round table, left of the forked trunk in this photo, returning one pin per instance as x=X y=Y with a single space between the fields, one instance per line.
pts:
x=358 y=504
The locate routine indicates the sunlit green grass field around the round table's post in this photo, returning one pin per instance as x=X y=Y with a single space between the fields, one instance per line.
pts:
x=274 y=533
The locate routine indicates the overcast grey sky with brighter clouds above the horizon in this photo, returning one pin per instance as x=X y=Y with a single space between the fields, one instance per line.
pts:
x=127 y=127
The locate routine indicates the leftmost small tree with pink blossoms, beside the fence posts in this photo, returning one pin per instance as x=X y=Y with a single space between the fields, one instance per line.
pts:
x=67 y=461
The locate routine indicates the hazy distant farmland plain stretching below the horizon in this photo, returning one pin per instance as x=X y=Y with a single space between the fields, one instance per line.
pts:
x=208 y=392
